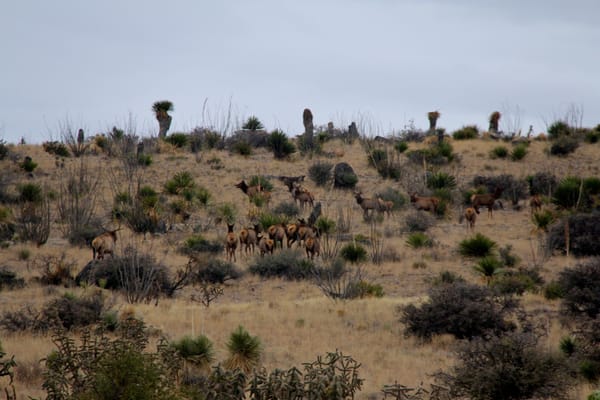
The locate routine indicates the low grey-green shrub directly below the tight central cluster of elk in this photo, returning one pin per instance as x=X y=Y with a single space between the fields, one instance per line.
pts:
x=287 y=263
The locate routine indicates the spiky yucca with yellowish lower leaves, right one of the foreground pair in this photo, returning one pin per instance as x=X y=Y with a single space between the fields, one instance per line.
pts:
x=245 y=351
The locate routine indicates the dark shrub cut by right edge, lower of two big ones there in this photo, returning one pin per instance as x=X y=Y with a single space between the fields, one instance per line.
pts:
x=580 y=287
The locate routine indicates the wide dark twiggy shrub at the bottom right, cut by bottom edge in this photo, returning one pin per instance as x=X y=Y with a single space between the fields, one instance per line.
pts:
x=509 y=367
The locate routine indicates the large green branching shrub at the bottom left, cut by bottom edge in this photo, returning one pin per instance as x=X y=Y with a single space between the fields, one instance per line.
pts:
x=113 y=366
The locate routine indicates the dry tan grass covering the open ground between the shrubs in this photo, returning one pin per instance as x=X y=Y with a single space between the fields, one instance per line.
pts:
x=294 y=320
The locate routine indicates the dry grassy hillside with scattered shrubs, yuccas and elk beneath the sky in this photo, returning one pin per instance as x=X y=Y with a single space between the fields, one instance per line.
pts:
x=381 y=295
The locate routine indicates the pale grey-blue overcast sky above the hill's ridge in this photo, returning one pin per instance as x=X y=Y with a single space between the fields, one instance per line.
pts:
x=382 y=63
